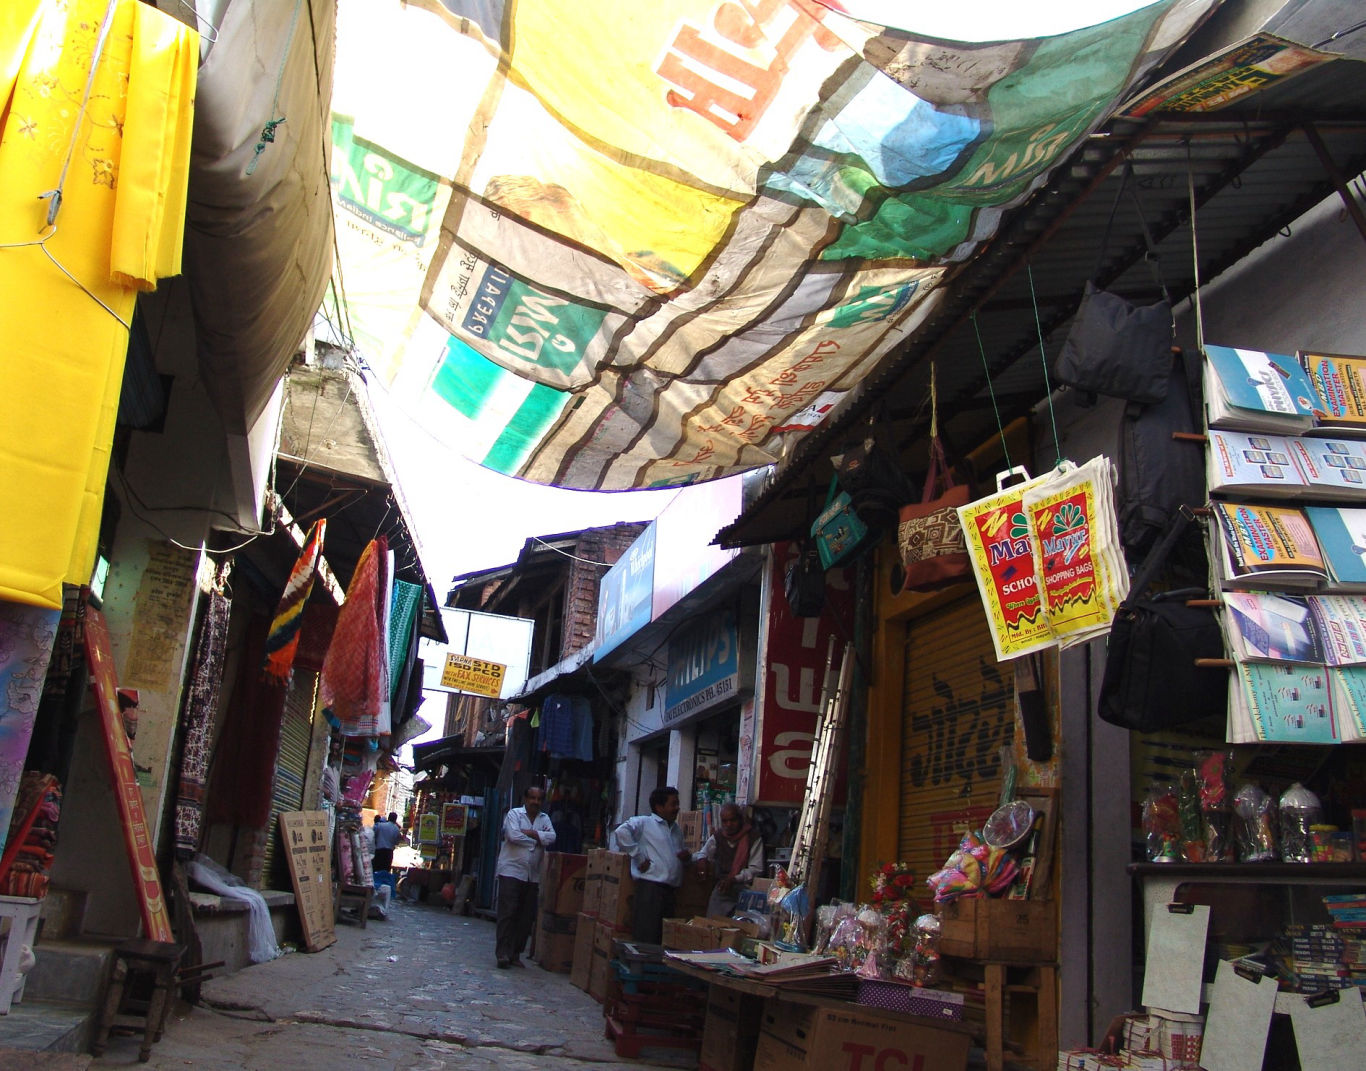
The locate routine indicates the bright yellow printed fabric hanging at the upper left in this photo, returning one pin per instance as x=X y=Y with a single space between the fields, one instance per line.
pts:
x=66 y=341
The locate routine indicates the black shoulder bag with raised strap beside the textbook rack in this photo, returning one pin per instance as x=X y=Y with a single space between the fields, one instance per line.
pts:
x=1152 y=681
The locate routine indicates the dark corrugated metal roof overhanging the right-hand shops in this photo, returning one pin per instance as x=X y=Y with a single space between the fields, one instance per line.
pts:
x=1255 y=169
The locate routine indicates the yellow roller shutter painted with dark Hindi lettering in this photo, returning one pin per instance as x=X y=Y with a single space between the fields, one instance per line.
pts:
x=958 y=712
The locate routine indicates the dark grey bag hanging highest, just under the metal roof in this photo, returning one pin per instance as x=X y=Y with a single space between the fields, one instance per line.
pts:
x=1115 y=348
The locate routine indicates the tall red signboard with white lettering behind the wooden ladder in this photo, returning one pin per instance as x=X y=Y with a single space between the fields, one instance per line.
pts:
x=794 y=674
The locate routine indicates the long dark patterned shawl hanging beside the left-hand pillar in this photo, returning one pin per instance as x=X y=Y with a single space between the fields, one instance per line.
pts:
x=201 y=706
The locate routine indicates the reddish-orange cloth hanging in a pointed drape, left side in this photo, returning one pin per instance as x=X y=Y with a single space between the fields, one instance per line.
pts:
x=353 y=673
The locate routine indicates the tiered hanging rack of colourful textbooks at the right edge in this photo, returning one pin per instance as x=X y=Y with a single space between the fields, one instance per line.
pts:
x=1287 y=540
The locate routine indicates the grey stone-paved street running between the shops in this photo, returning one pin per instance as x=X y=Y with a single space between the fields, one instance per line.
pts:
x=415 y=992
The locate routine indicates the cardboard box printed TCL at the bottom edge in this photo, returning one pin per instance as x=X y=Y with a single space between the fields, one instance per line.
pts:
x=831 y=1039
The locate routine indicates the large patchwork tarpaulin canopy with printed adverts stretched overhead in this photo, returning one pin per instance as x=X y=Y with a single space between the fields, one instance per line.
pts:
x=663 y=240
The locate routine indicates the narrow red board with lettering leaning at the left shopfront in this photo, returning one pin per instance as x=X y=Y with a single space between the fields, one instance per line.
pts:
x=147 y=879
